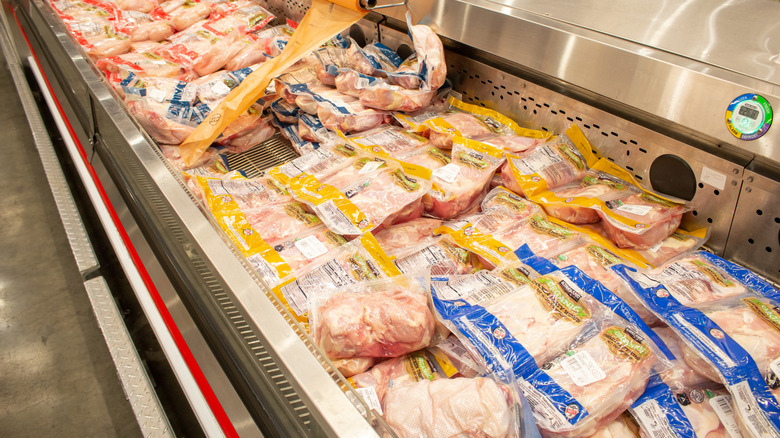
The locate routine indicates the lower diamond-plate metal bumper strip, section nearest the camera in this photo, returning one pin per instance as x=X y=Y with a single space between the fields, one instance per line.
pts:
x=132 y=374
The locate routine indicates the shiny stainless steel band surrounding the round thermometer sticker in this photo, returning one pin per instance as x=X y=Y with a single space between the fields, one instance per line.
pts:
x=687 y=96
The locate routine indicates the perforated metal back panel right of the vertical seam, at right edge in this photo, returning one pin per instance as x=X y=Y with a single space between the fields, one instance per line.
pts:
x=755 y=237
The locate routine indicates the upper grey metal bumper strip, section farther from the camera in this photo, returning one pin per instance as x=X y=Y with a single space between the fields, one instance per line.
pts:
x=74 y=228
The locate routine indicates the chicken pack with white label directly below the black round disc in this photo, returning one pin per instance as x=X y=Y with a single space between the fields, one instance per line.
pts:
x=648 y=220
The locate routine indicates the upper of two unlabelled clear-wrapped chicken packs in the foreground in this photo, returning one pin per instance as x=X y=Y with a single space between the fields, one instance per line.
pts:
x=380 y=320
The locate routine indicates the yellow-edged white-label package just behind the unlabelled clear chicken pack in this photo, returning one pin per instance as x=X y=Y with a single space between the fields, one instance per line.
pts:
x=357 y=261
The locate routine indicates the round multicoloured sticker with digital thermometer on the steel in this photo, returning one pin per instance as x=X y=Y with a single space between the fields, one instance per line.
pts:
x=749 y=116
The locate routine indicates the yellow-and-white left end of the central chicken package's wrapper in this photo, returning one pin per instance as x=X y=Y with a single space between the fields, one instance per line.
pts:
x=333 y=207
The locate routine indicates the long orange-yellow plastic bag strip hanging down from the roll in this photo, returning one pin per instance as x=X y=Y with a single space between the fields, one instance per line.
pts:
x=322 y=21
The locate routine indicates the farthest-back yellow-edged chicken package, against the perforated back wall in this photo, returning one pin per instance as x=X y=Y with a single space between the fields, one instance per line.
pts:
x=441 y=123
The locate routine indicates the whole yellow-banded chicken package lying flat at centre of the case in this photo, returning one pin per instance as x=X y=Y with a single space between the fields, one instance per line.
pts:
x=369 y=194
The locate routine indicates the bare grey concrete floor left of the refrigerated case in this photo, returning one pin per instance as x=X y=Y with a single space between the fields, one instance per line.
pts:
x=56 y=374
